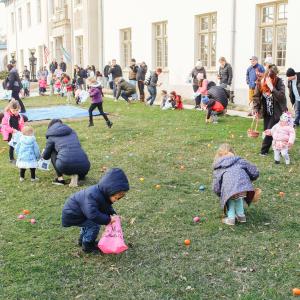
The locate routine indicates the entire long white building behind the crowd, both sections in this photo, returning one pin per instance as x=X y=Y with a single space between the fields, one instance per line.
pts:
x=168 y=34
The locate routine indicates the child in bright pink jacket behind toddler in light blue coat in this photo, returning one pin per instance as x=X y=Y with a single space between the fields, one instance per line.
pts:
x=12 y=123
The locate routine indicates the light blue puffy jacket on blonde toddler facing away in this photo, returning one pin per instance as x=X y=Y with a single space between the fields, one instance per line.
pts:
x=27 y=149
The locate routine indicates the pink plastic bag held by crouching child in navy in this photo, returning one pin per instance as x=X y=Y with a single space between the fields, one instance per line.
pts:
x=112 y=241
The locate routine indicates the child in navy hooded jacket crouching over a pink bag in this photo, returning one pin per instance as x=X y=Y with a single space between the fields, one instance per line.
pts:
x=92 y=207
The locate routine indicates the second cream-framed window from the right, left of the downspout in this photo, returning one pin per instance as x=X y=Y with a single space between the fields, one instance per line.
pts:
x=210 y=33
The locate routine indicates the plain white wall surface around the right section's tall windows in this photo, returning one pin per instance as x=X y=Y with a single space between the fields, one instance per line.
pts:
x=180 y=16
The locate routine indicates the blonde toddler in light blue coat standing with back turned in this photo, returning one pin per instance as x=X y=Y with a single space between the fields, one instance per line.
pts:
x=28 y=153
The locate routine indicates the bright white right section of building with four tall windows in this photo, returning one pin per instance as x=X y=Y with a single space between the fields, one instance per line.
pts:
x=175 y=34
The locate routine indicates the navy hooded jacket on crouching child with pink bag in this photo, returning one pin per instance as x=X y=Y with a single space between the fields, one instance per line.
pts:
x=94 y=202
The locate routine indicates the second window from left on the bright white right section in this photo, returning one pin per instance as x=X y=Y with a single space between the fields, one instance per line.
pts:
x=162 y=38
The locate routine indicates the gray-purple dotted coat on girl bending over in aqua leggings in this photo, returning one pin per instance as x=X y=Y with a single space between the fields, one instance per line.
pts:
x=233 y=175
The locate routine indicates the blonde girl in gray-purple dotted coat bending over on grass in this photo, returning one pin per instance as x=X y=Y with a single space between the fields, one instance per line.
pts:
x=232 y=182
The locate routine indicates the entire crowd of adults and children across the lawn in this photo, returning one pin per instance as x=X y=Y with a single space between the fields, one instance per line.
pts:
x=232 y=175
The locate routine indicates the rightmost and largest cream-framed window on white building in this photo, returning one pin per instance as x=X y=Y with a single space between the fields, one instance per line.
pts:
x=275 y=25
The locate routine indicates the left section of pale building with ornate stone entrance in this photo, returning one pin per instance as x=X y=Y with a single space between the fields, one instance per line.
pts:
x=72 y=26
